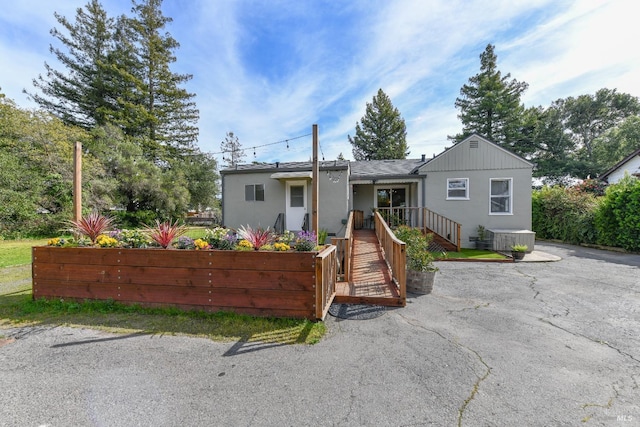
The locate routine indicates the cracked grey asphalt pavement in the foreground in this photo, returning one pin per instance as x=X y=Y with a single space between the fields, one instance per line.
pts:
x=495 y=344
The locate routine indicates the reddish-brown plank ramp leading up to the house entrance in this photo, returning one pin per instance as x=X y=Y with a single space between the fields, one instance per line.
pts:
x=370 y=281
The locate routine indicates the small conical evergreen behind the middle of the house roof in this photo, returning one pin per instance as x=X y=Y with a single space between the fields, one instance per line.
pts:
x=383 y=134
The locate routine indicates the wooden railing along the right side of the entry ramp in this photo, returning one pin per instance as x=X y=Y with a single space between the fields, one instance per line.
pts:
x=394 y=253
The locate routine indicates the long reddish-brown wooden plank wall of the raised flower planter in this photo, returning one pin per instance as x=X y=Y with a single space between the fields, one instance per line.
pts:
x=283 y=284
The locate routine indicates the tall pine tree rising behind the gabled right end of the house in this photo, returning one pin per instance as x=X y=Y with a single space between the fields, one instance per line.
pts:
x=490 y=104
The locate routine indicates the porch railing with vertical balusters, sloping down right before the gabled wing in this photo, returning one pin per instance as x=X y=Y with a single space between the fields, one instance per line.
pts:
x=426 y=219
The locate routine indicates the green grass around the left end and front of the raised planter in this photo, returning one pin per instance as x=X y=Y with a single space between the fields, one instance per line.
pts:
x=17 y=308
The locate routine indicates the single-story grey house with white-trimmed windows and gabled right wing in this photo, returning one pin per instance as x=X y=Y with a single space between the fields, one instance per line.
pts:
x=475 y=182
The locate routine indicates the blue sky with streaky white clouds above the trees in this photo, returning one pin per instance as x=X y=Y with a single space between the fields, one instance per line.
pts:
x=269 y=70
